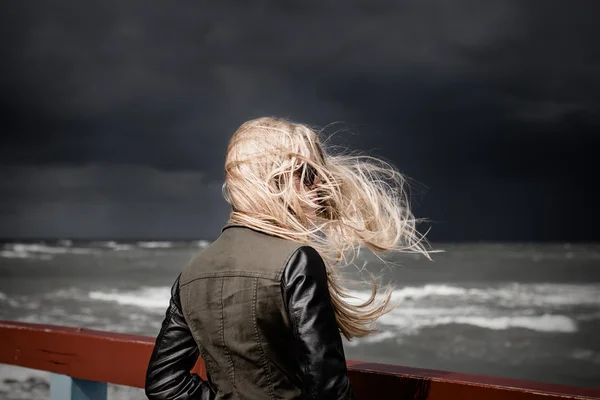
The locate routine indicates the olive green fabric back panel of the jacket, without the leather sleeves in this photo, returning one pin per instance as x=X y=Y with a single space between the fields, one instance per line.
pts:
x=231 y=298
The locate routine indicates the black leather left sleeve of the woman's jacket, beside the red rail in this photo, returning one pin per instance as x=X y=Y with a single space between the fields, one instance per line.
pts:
x=175 y=353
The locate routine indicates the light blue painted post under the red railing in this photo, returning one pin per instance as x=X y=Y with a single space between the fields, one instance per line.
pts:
x=63 y=387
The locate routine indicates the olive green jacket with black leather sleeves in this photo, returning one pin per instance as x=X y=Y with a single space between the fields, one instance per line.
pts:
x=257 y=309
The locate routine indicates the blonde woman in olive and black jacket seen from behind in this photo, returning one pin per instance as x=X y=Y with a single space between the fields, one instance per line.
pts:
x=265 y=305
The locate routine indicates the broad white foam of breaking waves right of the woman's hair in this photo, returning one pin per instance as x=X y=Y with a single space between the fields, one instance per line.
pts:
x=537 y=307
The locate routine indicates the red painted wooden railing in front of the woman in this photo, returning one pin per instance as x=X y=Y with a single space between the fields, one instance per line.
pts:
x=97 y=356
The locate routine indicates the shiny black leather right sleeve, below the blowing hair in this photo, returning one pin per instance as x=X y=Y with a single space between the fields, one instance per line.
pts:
x=318 y=340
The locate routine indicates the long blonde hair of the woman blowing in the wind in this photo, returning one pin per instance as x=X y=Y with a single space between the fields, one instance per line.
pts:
x=356 y=201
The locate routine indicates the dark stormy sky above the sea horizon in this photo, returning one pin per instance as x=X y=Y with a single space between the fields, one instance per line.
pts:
x=115 y=115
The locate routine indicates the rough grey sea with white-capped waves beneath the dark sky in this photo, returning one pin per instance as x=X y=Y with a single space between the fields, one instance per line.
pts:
x=521 y=310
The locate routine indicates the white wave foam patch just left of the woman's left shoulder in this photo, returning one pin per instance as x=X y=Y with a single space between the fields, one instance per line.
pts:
x=148 y=297
